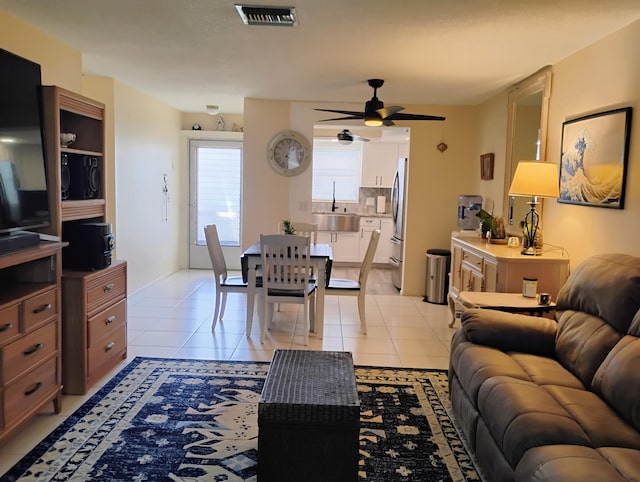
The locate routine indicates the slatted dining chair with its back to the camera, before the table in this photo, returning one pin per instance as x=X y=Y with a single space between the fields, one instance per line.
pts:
x=286 y=277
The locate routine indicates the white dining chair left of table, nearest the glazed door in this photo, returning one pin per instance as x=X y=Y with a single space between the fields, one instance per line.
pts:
x=224 y=283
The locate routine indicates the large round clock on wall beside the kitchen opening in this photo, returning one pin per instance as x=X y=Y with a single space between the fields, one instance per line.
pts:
x=289 y=153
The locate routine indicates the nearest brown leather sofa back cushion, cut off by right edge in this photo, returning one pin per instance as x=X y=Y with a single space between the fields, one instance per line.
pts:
x=618 y=379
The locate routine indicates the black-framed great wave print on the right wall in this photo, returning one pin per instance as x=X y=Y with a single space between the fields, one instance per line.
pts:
x=593 y=163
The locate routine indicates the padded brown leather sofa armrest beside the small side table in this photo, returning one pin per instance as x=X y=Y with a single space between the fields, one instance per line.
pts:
x=510 y=332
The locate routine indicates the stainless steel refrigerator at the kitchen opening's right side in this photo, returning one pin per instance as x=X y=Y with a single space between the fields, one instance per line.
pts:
x=398 y=198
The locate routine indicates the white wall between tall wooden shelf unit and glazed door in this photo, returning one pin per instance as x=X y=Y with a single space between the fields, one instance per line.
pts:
x=146 y=148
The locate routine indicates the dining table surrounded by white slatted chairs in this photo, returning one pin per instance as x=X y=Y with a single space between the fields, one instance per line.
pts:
x=321 y=259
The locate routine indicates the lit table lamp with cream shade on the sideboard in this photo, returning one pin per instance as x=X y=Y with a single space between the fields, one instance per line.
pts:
x=535 y=179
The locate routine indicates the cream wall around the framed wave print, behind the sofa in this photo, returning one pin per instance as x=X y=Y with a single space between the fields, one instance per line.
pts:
x=603 y=76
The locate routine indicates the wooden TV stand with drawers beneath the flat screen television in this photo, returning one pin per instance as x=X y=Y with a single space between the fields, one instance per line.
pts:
x=30 y=327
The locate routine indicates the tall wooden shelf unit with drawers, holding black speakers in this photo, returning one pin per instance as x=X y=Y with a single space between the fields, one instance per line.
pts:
x=94 y=302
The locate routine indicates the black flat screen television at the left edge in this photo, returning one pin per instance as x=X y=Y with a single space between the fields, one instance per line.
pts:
x=24 y=202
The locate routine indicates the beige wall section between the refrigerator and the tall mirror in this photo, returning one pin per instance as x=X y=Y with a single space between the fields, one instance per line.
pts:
x=436 y=179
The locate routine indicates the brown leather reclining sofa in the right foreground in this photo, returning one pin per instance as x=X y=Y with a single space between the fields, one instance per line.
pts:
x=545 y=400
